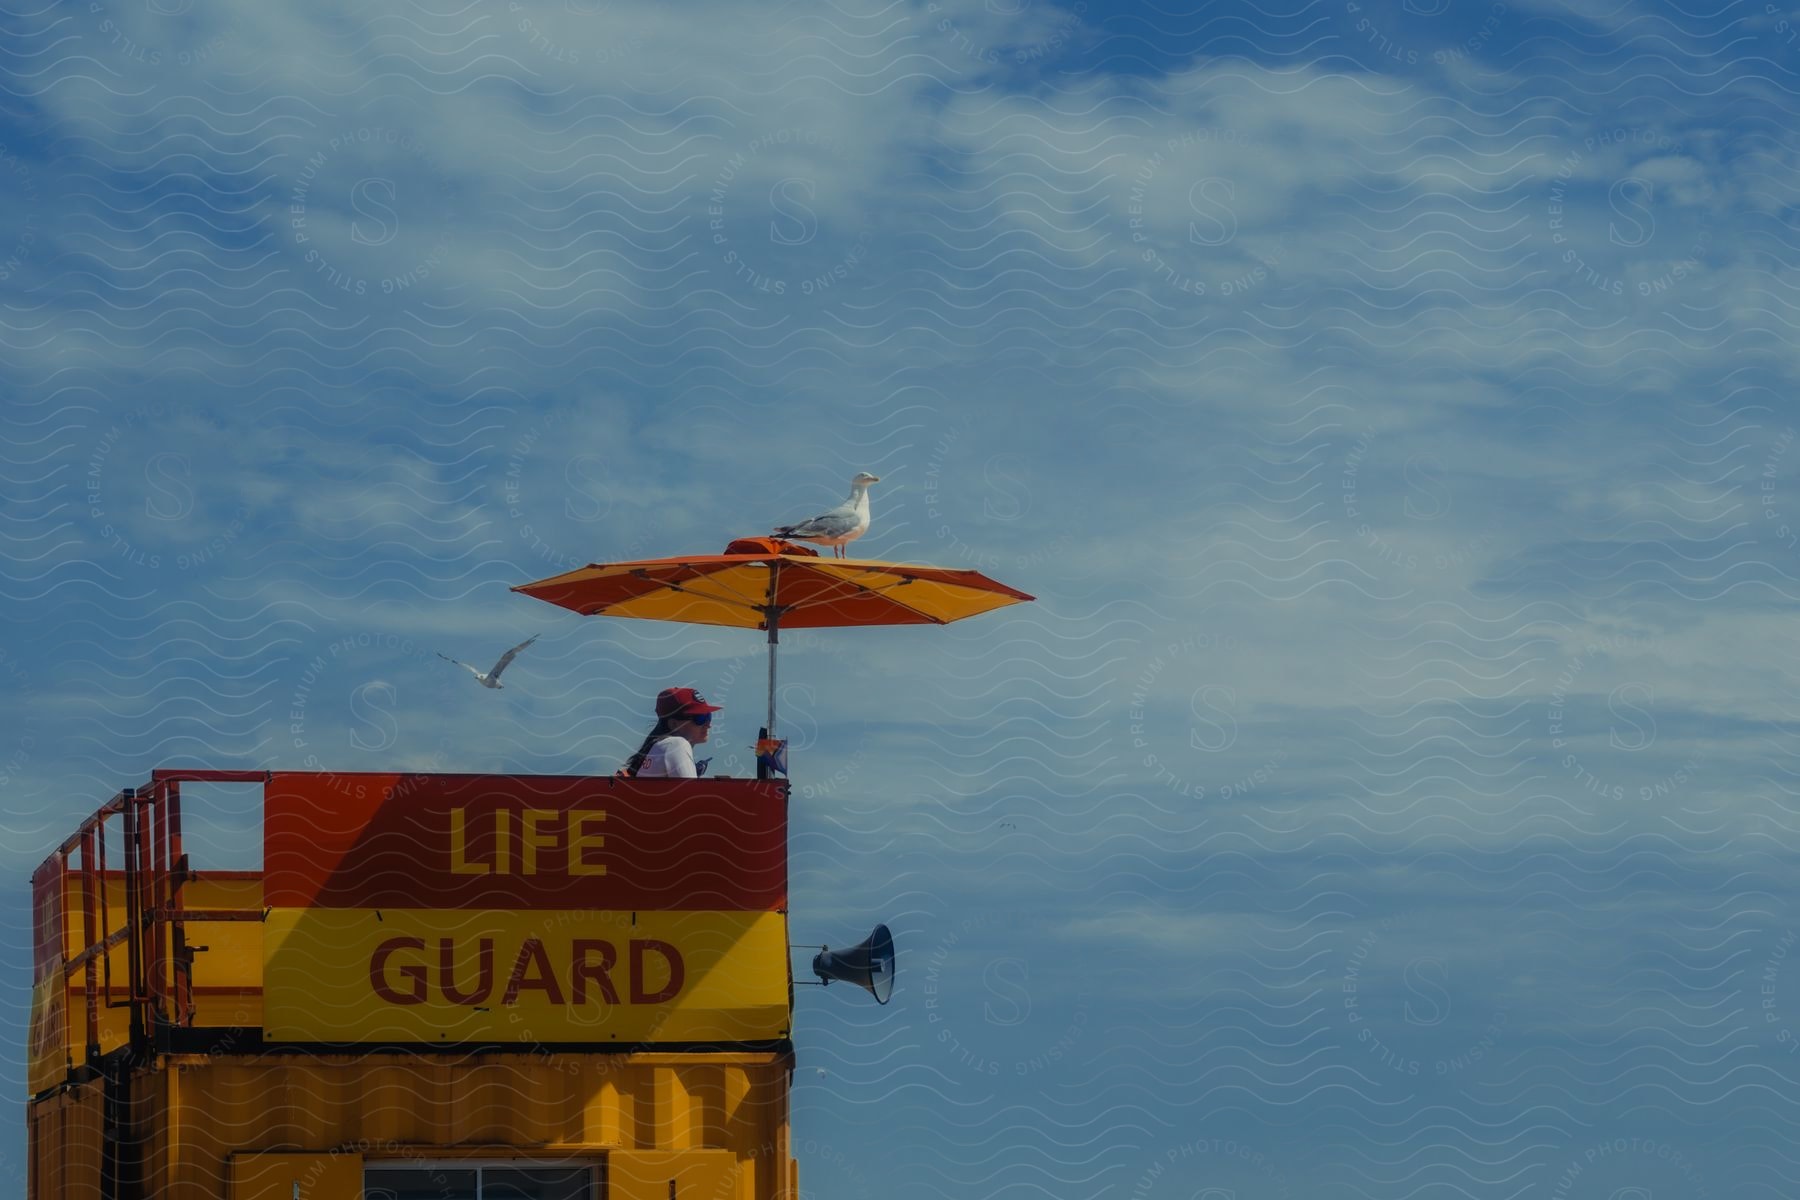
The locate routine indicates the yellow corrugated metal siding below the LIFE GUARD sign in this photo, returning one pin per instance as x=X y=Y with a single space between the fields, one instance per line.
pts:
x=408 y=1107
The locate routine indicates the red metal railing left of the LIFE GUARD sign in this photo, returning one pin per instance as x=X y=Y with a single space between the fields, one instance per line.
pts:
x=159 y=960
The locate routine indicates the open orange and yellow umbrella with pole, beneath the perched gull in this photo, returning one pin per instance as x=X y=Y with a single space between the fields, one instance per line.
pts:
x=775 y=589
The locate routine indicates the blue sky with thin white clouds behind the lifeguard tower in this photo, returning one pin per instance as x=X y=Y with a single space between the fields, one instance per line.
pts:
x=1390 y=406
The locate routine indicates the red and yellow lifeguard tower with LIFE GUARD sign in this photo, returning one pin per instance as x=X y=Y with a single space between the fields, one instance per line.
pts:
x=436 y=989
